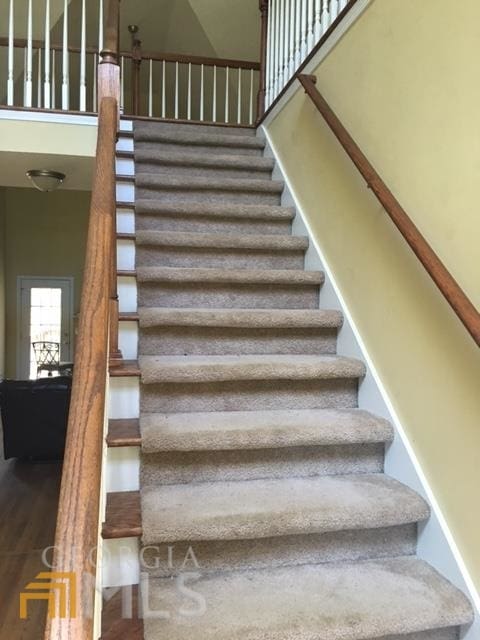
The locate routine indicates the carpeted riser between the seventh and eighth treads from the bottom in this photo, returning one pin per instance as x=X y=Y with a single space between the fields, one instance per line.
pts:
x=203 y=224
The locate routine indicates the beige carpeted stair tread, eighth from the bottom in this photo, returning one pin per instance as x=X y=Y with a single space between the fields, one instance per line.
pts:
x=214 y=209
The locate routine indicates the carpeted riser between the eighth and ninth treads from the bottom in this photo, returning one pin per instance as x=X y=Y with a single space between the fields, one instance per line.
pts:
x=182 y=195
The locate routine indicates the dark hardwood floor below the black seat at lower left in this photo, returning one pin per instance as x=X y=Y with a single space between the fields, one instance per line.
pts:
x=28 y=509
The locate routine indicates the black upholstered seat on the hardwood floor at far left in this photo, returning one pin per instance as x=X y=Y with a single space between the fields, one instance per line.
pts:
x=34 y=416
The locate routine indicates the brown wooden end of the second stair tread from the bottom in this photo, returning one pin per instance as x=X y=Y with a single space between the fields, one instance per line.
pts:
x=123 y=517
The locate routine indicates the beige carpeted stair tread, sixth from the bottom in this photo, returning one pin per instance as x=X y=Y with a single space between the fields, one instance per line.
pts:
x=226 y=276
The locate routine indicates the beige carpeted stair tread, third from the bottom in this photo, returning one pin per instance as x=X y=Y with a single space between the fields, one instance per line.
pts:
x=230 y=430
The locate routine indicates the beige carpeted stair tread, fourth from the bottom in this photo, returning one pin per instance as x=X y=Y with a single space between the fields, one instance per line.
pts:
x=156 y=369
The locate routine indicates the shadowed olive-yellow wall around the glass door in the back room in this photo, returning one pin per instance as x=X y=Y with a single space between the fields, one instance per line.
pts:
x=45 y=236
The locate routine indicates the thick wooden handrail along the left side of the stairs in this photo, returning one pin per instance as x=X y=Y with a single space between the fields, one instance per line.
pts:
x=79 y=506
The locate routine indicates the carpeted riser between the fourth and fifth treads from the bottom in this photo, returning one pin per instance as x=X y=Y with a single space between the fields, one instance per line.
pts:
x=224 y=341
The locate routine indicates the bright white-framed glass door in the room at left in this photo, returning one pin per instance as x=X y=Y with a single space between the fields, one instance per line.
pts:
x=45 y=314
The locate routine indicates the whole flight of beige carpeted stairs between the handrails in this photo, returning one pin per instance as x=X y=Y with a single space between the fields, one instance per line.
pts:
x=257 y=466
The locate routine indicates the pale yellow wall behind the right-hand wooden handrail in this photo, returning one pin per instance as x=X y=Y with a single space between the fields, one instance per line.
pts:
x=403 y=81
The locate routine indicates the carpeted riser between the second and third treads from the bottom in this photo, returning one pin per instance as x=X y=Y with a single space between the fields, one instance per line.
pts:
x=221 y=466
